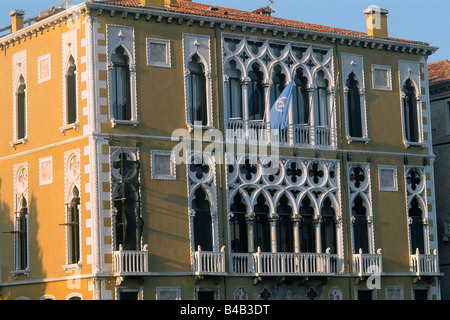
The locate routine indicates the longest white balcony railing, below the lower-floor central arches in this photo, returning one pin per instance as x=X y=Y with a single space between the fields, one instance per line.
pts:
x=283 y=263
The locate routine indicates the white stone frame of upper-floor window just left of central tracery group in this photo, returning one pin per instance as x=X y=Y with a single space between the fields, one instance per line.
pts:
x=196 y=44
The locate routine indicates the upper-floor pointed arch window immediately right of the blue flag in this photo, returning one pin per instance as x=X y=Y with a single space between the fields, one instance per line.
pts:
x=300 y=98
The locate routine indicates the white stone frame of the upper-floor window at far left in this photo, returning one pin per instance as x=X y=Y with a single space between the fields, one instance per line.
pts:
x=19 y=68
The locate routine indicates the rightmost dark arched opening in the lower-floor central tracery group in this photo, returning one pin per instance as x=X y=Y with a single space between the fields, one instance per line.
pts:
x=328 y=226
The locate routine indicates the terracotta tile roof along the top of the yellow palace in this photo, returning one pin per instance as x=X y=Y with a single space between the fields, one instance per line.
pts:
x=199 y=9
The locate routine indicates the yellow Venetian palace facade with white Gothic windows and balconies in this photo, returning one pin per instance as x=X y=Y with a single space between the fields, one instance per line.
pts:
x=101 y=101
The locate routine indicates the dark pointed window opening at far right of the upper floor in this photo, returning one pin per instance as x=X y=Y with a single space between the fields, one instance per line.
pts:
x=410 y=112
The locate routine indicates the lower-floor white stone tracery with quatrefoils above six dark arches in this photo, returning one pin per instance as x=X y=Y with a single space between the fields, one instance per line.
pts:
x=294 y=210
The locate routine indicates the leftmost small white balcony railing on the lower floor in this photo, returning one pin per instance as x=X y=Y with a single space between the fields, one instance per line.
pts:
x=130 y=262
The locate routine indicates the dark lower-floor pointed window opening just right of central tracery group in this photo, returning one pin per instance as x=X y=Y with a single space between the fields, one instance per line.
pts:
x=360 y=226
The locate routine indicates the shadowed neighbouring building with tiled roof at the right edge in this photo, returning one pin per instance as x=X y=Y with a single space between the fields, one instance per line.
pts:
x=439 y=77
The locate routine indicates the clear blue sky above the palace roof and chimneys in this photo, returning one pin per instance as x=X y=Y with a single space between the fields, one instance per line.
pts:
x=418 y=20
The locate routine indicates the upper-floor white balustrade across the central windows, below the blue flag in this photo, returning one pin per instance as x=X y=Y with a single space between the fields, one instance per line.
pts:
x=298 y=134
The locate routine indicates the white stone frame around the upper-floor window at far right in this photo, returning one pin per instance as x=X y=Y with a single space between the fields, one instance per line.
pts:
x=411 y=70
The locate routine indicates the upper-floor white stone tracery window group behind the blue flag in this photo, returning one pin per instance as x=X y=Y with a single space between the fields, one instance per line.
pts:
x=266 y=67
